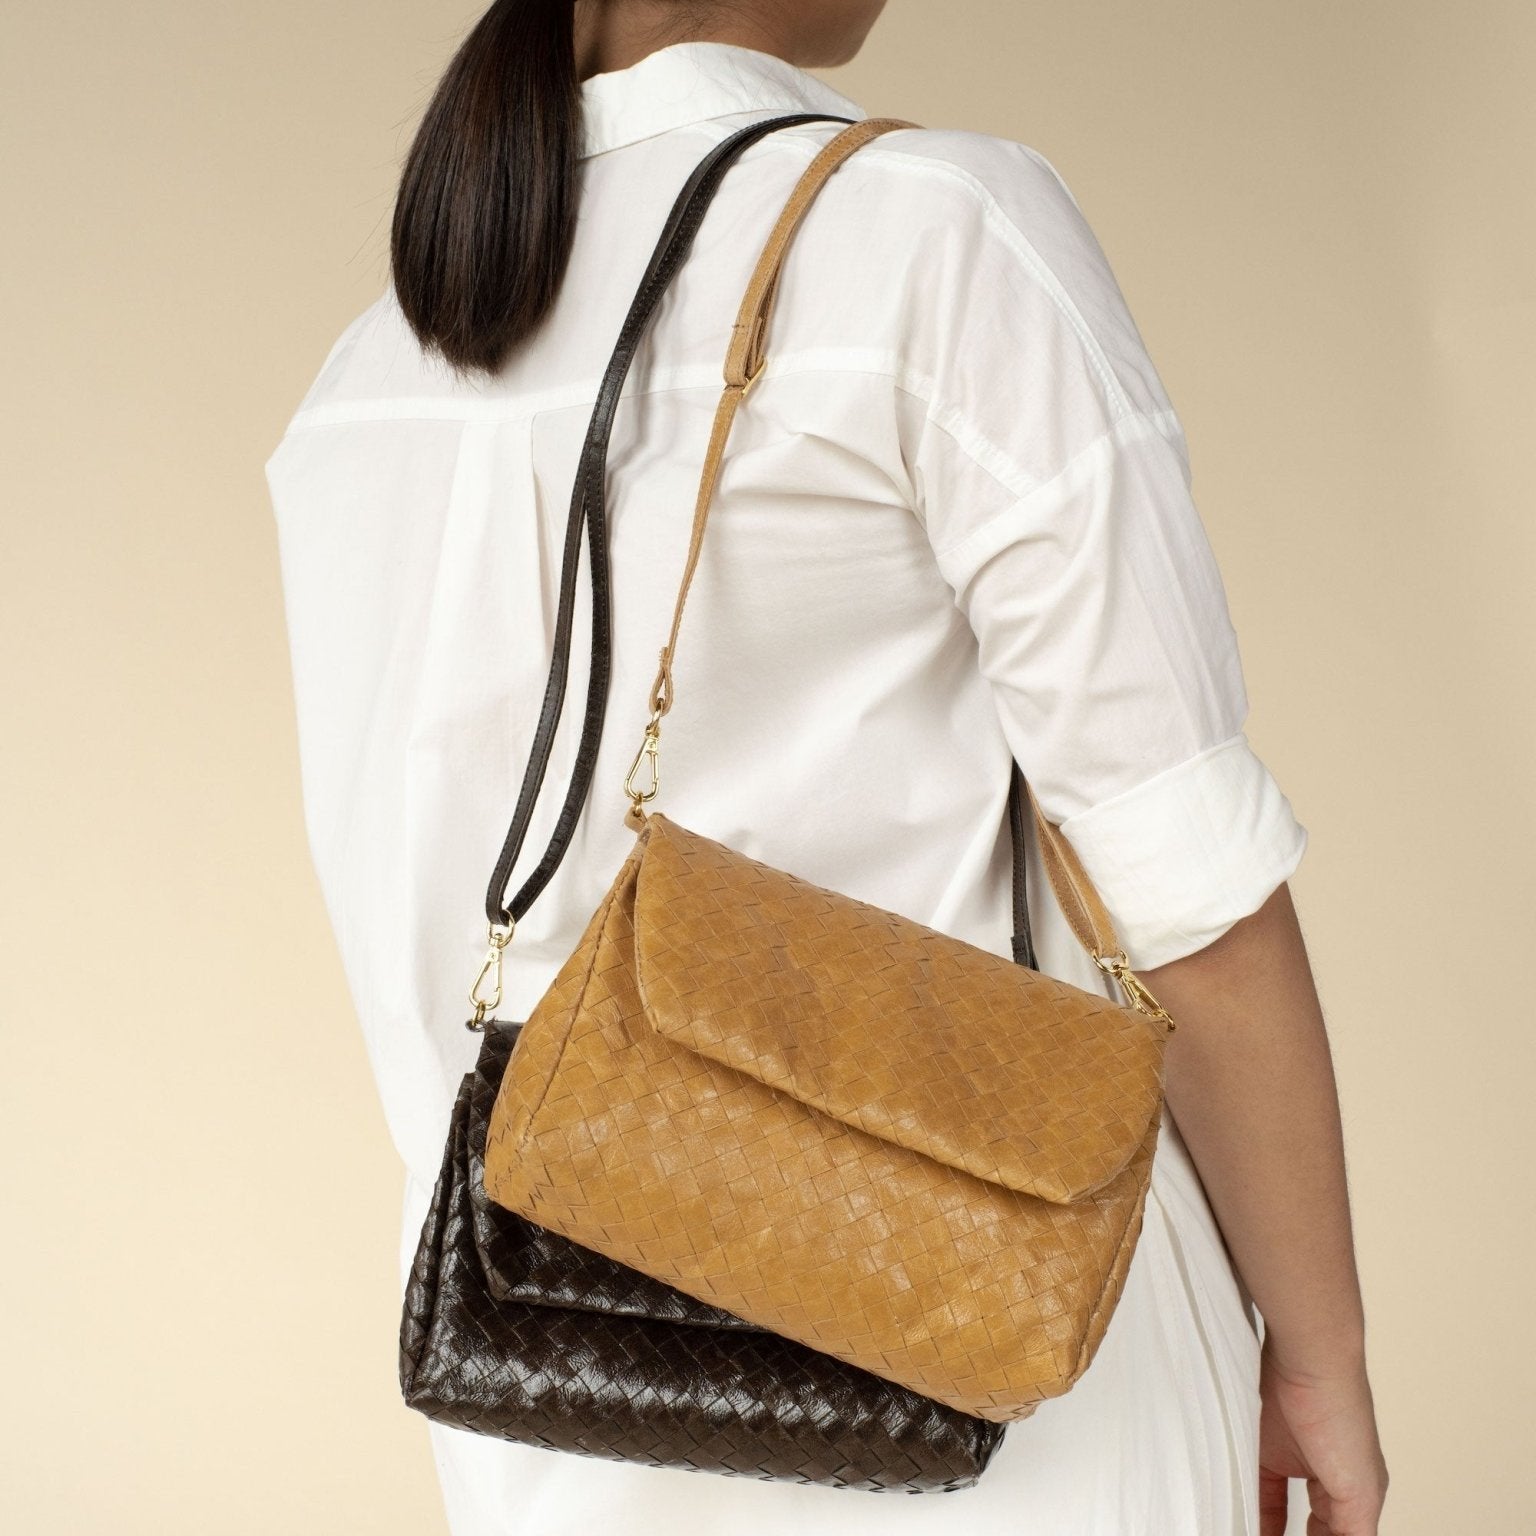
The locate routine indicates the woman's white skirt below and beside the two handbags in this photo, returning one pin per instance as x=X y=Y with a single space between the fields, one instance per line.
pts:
x=1157 y=1438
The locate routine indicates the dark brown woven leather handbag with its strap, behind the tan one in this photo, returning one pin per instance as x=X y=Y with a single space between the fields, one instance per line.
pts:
x=517 y=1332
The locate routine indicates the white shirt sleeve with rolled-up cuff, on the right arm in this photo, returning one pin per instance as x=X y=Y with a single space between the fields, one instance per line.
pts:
x=1054 y=486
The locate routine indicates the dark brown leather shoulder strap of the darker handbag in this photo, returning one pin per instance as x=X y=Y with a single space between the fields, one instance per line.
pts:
x=589 y=506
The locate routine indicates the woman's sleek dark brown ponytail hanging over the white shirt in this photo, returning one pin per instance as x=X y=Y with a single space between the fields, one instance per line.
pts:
x=488 y=199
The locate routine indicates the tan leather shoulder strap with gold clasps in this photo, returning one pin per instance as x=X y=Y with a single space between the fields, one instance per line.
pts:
x=744 y=366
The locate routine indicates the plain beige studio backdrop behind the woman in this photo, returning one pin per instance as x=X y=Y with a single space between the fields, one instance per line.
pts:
x=1322 y=219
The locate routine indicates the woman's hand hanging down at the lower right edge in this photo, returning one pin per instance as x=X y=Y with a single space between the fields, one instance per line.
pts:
x=1322 y=1429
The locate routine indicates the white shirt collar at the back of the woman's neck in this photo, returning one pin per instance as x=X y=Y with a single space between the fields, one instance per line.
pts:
x=694 y=82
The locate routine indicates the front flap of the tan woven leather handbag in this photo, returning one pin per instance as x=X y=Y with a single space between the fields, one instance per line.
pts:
x=912 y=1036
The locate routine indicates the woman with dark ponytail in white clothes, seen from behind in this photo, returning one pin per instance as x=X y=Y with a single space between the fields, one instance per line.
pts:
x=955 y=528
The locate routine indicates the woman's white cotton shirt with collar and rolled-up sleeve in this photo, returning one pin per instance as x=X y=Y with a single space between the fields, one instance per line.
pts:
x=955 y=528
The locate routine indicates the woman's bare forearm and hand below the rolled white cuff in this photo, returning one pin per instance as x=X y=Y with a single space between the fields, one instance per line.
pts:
x=1251 y=1085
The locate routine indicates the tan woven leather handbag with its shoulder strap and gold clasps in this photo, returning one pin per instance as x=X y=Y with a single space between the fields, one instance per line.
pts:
x=867 y=1136
